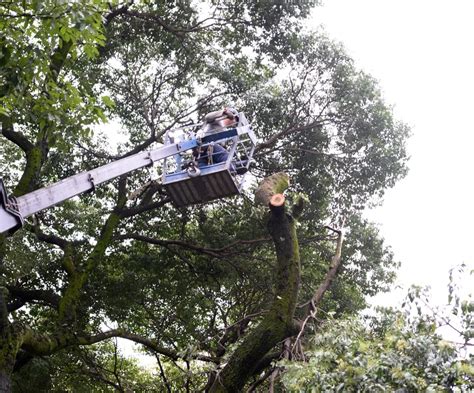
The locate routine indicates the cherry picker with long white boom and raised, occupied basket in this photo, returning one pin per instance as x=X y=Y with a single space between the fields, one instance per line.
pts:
x=186 y=180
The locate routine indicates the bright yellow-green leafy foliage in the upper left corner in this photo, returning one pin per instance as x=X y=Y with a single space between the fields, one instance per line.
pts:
x=34 y=92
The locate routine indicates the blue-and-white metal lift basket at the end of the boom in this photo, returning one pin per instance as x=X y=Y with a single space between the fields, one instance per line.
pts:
x=188 y=186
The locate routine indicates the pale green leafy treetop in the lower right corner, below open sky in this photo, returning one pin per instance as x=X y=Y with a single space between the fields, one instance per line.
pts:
x=391 y=349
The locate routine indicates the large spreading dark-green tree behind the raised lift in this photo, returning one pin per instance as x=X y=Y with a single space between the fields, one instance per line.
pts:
x=194 y=286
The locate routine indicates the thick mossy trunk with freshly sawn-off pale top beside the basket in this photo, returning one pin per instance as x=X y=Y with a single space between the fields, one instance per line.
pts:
x=278 y=322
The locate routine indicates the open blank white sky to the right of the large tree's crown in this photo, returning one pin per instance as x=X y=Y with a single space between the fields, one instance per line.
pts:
x=421 y=52
